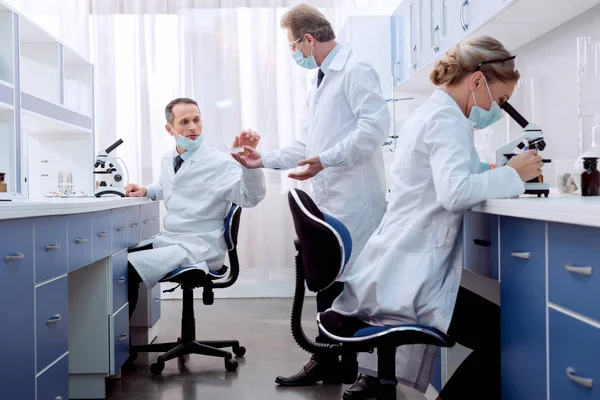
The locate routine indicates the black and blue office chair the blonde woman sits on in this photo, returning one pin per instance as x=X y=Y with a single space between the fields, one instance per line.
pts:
x=324 y=247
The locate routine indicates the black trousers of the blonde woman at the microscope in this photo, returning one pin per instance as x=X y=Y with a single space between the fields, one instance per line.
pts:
x=475 y=324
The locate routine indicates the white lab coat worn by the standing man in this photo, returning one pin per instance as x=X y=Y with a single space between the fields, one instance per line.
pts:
x=348 y=122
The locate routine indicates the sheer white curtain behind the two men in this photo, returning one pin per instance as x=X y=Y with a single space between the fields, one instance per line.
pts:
x=235 y=61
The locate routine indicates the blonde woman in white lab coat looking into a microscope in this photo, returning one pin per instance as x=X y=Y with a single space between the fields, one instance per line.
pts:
x=410 y=269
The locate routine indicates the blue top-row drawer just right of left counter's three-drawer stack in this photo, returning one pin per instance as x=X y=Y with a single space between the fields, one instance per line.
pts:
x=80 y=241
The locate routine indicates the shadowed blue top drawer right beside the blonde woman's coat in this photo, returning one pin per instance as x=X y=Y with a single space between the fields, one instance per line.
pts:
x=481 y=244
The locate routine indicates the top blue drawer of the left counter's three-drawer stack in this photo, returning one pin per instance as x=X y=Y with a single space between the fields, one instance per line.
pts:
x=50 y=248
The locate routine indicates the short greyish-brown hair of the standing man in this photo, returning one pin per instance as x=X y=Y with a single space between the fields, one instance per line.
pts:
x=303 y=19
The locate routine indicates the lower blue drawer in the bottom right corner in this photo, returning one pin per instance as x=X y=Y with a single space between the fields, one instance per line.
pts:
x=574 y=350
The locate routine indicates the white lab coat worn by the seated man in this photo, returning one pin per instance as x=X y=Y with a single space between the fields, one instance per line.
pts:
x=197 y=200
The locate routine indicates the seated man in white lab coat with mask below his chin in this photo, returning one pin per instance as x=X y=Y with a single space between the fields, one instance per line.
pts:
x=198 y=185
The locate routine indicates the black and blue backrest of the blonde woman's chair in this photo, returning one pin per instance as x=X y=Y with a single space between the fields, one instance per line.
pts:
x=325 y=243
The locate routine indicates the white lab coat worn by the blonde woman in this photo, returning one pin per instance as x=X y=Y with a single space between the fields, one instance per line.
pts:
x=410 y=270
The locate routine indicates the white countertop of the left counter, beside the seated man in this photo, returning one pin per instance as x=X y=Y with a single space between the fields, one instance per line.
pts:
x=62 y=206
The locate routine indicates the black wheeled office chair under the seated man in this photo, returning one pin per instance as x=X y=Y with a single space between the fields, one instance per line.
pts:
x=190 y=278
